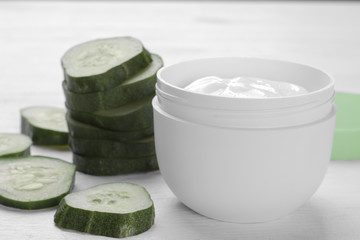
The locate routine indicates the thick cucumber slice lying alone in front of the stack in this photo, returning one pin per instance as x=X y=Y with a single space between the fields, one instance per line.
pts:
x=113 y=210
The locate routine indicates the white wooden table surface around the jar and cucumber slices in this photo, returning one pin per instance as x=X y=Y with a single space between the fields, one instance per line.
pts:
x=34 y=35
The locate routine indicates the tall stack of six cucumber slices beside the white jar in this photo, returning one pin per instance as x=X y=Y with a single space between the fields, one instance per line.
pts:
x=109 y=85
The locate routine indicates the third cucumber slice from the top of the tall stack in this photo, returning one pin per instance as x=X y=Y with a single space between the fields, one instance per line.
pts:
x=133 y=116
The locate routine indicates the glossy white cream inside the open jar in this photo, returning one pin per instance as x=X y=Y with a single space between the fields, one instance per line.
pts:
x=244 y=87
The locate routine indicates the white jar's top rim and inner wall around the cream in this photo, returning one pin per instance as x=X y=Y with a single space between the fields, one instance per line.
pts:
x=172 y=79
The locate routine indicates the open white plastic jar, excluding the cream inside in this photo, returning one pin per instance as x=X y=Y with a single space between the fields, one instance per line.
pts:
x=243 y=159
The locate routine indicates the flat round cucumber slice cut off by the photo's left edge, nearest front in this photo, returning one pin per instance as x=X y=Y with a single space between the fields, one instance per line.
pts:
x=34 y=182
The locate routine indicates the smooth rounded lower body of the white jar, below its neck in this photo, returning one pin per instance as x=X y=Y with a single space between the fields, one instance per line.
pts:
x=242 y=175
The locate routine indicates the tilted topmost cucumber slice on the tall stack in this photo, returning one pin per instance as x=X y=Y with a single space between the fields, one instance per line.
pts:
x=104 y=63
